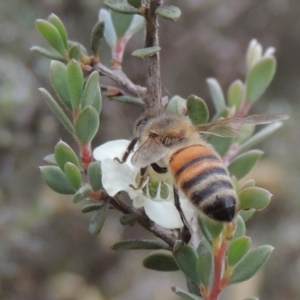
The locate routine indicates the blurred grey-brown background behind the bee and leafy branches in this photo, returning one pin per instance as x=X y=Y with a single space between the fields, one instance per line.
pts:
x=46 y=251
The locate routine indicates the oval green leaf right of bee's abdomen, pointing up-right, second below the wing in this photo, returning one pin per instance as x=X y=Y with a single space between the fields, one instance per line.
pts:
x=243 y=164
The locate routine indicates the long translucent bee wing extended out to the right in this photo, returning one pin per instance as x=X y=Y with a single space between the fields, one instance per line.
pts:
x=230 y=127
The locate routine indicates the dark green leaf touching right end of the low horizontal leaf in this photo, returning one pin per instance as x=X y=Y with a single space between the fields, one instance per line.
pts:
x=186 y=259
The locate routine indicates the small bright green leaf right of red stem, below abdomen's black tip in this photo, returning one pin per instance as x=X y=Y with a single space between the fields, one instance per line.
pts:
x=238 y=249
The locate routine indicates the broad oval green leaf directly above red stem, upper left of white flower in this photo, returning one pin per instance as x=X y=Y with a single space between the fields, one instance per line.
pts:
x=87 y=125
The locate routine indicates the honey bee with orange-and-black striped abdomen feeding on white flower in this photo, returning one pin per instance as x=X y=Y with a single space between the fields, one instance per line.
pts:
x=175 y=143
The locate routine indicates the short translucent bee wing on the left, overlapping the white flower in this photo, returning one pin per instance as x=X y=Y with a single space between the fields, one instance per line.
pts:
x=149 y=152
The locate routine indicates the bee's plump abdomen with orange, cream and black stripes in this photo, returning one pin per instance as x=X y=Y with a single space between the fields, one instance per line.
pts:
x=203 y=179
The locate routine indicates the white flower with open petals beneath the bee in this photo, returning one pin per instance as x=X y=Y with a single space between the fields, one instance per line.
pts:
x=118 y=177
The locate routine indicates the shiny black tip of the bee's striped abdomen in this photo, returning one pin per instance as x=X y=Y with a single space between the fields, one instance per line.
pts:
x=223 y=209
